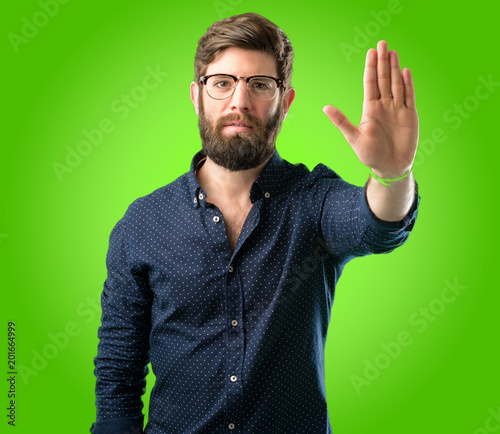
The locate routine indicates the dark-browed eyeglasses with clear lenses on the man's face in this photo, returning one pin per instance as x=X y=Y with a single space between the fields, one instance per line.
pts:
x=260 y=87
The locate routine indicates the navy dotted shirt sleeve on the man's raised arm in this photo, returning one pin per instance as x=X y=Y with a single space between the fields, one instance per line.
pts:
x=349 y=227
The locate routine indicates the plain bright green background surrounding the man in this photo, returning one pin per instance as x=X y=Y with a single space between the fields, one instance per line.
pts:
x=54 y=230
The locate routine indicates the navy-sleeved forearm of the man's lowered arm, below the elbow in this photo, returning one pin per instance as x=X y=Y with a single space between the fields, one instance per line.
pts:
x=121 y=365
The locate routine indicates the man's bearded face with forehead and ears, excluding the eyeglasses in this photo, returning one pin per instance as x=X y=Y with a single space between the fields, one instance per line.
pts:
x=240 y=147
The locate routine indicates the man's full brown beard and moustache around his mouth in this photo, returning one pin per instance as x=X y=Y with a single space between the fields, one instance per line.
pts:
x=239 y=151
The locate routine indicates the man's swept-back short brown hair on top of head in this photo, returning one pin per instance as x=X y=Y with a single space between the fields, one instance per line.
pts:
x=249 y=31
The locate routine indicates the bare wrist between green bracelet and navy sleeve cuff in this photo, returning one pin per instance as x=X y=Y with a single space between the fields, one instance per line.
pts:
x=390 y=202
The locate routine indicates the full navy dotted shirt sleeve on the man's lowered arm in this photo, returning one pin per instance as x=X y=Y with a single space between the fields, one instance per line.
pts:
x=123 y=349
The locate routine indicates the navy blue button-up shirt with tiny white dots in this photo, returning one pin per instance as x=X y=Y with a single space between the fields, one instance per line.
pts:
x=235 y=339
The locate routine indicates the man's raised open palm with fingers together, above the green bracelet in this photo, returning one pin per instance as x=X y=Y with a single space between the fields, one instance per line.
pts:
x=387 y=135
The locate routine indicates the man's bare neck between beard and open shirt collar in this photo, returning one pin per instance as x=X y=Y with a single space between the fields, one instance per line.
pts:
x=222 y=184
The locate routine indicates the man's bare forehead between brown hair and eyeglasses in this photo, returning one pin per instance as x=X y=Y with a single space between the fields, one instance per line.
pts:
x=243 y=63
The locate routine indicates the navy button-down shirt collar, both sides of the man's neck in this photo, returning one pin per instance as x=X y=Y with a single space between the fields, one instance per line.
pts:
x=267 y=185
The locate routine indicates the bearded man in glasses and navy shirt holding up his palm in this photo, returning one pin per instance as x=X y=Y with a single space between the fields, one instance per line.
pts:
x=224 y=279
